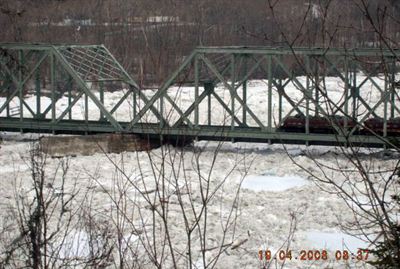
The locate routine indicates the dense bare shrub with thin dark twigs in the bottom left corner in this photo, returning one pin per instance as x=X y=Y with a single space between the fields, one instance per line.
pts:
x=46 y=222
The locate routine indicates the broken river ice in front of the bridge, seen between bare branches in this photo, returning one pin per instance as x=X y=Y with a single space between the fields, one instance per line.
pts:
x=267 y=201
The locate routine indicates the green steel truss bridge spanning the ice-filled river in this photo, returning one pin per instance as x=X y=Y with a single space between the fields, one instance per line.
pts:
x=217 y=93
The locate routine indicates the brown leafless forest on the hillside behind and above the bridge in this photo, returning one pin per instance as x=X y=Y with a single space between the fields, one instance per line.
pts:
x=151 y=37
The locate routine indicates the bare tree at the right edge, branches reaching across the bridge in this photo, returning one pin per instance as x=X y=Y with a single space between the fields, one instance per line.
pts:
x=367 y=186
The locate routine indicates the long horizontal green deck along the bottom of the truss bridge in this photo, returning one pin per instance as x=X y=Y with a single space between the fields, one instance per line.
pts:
x=213 y=133
